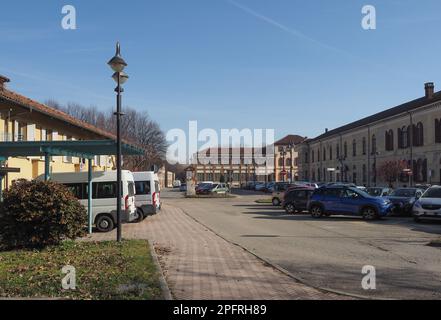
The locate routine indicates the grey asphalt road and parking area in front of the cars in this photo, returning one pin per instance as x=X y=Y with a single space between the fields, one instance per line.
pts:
x=329 y=252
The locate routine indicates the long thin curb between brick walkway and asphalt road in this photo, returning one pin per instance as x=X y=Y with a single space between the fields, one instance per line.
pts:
x=284 y=271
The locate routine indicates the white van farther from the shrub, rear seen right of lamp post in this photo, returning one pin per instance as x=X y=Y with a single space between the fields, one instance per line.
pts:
x=148 y=192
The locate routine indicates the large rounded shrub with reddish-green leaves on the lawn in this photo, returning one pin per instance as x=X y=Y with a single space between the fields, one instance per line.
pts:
x=36 y=214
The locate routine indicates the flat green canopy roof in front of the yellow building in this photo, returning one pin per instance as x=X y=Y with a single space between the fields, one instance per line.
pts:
x=81 y=149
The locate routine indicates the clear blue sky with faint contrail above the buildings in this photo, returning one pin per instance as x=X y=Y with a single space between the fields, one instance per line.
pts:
x=293 y=66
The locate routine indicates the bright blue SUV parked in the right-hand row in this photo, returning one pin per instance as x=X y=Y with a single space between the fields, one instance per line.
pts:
x=347 y=201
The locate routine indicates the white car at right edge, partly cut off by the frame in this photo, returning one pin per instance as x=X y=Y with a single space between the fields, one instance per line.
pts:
x=429 y=205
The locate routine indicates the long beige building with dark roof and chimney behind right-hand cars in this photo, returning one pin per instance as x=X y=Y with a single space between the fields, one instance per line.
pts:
x=410 y=132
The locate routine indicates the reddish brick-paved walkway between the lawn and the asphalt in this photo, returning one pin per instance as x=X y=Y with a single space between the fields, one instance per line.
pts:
x=198 y=264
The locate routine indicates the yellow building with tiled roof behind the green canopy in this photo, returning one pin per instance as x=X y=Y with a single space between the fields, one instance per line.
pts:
x=23 y=119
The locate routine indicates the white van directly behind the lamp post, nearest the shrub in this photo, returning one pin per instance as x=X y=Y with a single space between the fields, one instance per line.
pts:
x=103 y=195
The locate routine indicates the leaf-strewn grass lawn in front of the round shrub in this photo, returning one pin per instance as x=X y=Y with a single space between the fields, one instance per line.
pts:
x=104 y=271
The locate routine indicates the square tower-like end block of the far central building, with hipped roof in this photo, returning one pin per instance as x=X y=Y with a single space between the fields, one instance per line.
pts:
x=286 y=159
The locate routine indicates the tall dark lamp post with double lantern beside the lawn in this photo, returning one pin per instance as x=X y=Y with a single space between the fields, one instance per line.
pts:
x=118 y=64
